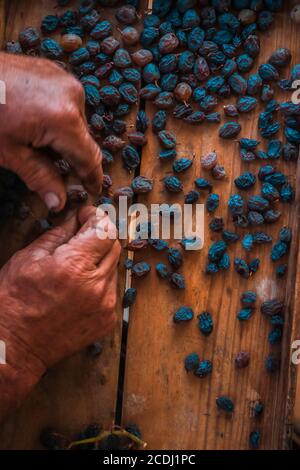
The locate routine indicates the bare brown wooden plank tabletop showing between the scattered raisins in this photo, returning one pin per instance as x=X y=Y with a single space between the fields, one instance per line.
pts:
x=175 y=410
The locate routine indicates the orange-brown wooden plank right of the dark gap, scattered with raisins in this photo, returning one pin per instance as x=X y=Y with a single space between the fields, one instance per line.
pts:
x=176 y=410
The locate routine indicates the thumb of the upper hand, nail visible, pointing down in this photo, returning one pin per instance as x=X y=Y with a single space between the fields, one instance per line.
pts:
x=41 y=176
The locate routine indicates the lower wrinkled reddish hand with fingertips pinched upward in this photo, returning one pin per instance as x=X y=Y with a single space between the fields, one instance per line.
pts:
x=57 y=296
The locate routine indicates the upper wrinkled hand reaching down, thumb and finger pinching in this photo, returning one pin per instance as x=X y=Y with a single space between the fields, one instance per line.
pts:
x=45 y=109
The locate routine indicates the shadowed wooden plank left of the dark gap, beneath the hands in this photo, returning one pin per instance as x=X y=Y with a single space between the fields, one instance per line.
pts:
x=80 y=390
